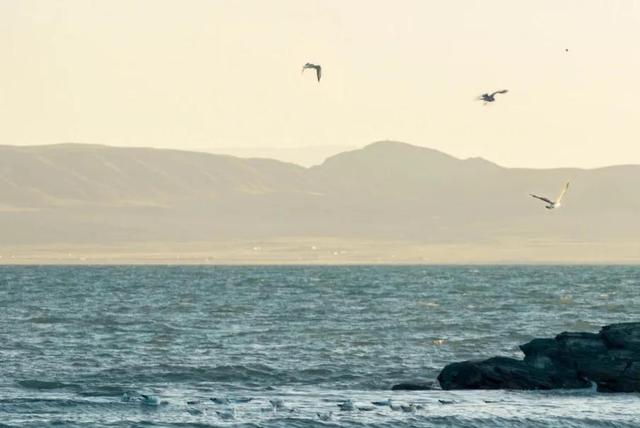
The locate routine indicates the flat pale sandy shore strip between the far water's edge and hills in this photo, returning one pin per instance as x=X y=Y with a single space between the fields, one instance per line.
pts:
x=326 y=251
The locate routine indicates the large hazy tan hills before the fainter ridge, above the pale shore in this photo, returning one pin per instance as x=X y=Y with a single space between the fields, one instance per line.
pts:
x=90 y=195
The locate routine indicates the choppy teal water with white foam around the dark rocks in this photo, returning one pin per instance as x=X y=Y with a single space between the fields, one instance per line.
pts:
x=78 y=345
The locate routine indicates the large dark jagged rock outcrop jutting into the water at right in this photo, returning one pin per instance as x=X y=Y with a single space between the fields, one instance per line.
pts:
x=610 y=358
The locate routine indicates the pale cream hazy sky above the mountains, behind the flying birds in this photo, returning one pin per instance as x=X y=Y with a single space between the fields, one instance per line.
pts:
x=206 y=74
